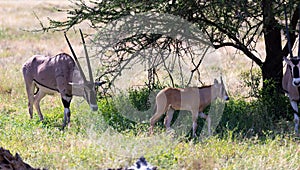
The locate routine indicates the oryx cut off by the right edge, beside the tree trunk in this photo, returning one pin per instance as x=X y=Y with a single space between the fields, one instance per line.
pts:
x=291 y=77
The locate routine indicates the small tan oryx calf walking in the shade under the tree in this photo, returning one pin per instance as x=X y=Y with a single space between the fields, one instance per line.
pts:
x=194 y=99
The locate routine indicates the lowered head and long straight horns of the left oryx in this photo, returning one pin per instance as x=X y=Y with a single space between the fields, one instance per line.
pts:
x=84 y=87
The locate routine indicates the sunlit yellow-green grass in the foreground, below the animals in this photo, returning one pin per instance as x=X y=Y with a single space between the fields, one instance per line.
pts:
x=91 y=143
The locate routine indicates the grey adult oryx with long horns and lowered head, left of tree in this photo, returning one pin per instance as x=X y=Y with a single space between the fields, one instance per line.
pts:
x=59 y=73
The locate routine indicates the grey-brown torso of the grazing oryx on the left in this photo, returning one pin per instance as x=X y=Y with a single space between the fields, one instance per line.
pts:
x=50 y=74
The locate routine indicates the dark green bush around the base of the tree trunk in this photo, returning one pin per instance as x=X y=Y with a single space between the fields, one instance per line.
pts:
x=267 y=113
